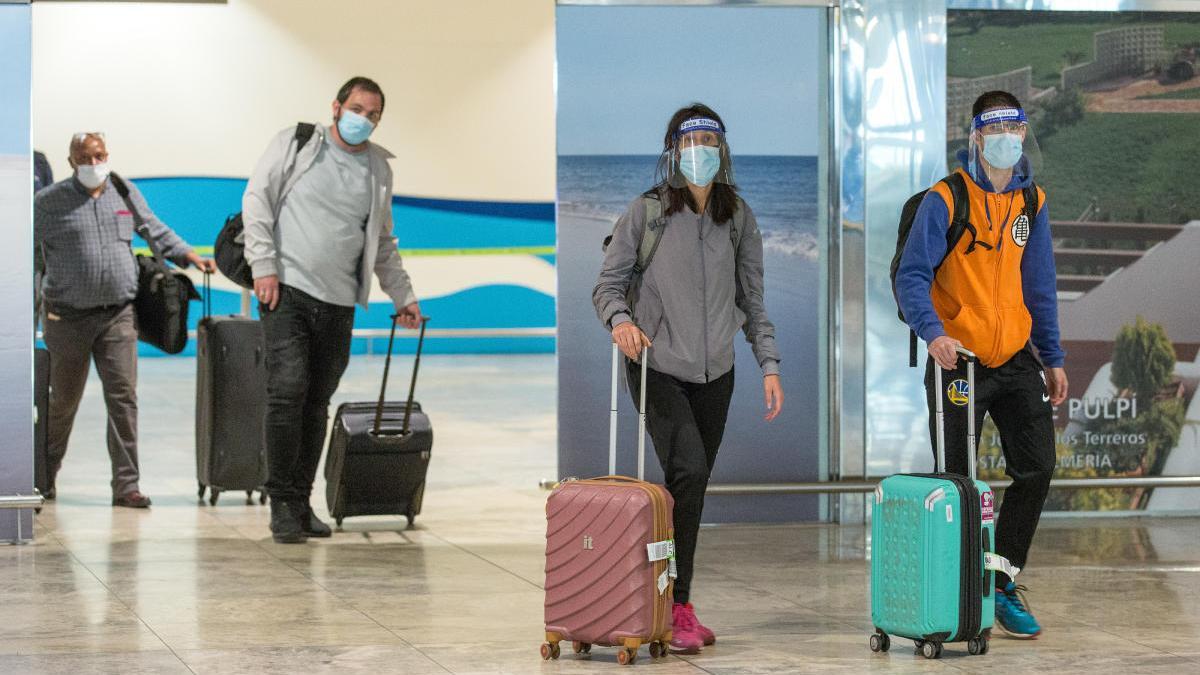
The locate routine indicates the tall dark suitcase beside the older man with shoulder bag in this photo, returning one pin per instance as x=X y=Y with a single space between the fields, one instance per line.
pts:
x=231 y=405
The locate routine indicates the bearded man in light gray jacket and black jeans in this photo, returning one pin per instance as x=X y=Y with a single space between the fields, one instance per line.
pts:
x=319 y=225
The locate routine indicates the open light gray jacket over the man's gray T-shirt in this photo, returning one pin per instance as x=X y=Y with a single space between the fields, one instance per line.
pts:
x=271 y=184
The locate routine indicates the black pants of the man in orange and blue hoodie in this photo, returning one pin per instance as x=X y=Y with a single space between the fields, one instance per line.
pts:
x=1016 y=397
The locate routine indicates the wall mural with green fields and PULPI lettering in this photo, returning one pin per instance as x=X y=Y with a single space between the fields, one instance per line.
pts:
x=1114 y=99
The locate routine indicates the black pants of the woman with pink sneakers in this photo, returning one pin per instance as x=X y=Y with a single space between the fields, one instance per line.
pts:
x=686 y=422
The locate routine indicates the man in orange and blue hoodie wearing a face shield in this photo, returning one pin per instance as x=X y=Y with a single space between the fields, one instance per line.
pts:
x=993 y=291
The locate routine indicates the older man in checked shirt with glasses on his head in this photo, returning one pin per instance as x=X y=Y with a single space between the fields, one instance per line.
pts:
x=83 y=234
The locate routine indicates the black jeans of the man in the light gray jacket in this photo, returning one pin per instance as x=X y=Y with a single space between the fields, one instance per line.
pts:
x=308 y=350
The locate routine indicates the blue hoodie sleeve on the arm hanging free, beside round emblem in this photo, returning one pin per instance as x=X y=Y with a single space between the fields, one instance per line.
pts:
x=1040 y=288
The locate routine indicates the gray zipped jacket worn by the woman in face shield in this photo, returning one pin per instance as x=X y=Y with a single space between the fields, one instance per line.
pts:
x=689 y=303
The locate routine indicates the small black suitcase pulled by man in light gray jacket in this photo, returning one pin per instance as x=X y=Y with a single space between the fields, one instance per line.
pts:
x=380 y=452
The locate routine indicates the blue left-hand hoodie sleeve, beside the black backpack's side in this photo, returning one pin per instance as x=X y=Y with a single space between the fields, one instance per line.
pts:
x=915 y=278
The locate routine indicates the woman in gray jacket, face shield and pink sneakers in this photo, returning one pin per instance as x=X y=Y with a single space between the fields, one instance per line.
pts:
x=682 y=274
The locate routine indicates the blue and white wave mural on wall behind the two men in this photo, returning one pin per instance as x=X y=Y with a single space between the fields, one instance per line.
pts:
x=483 y=271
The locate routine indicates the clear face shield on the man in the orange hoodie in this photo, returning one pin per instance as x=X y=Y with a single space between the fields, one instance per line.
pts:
x=1001 y=140
